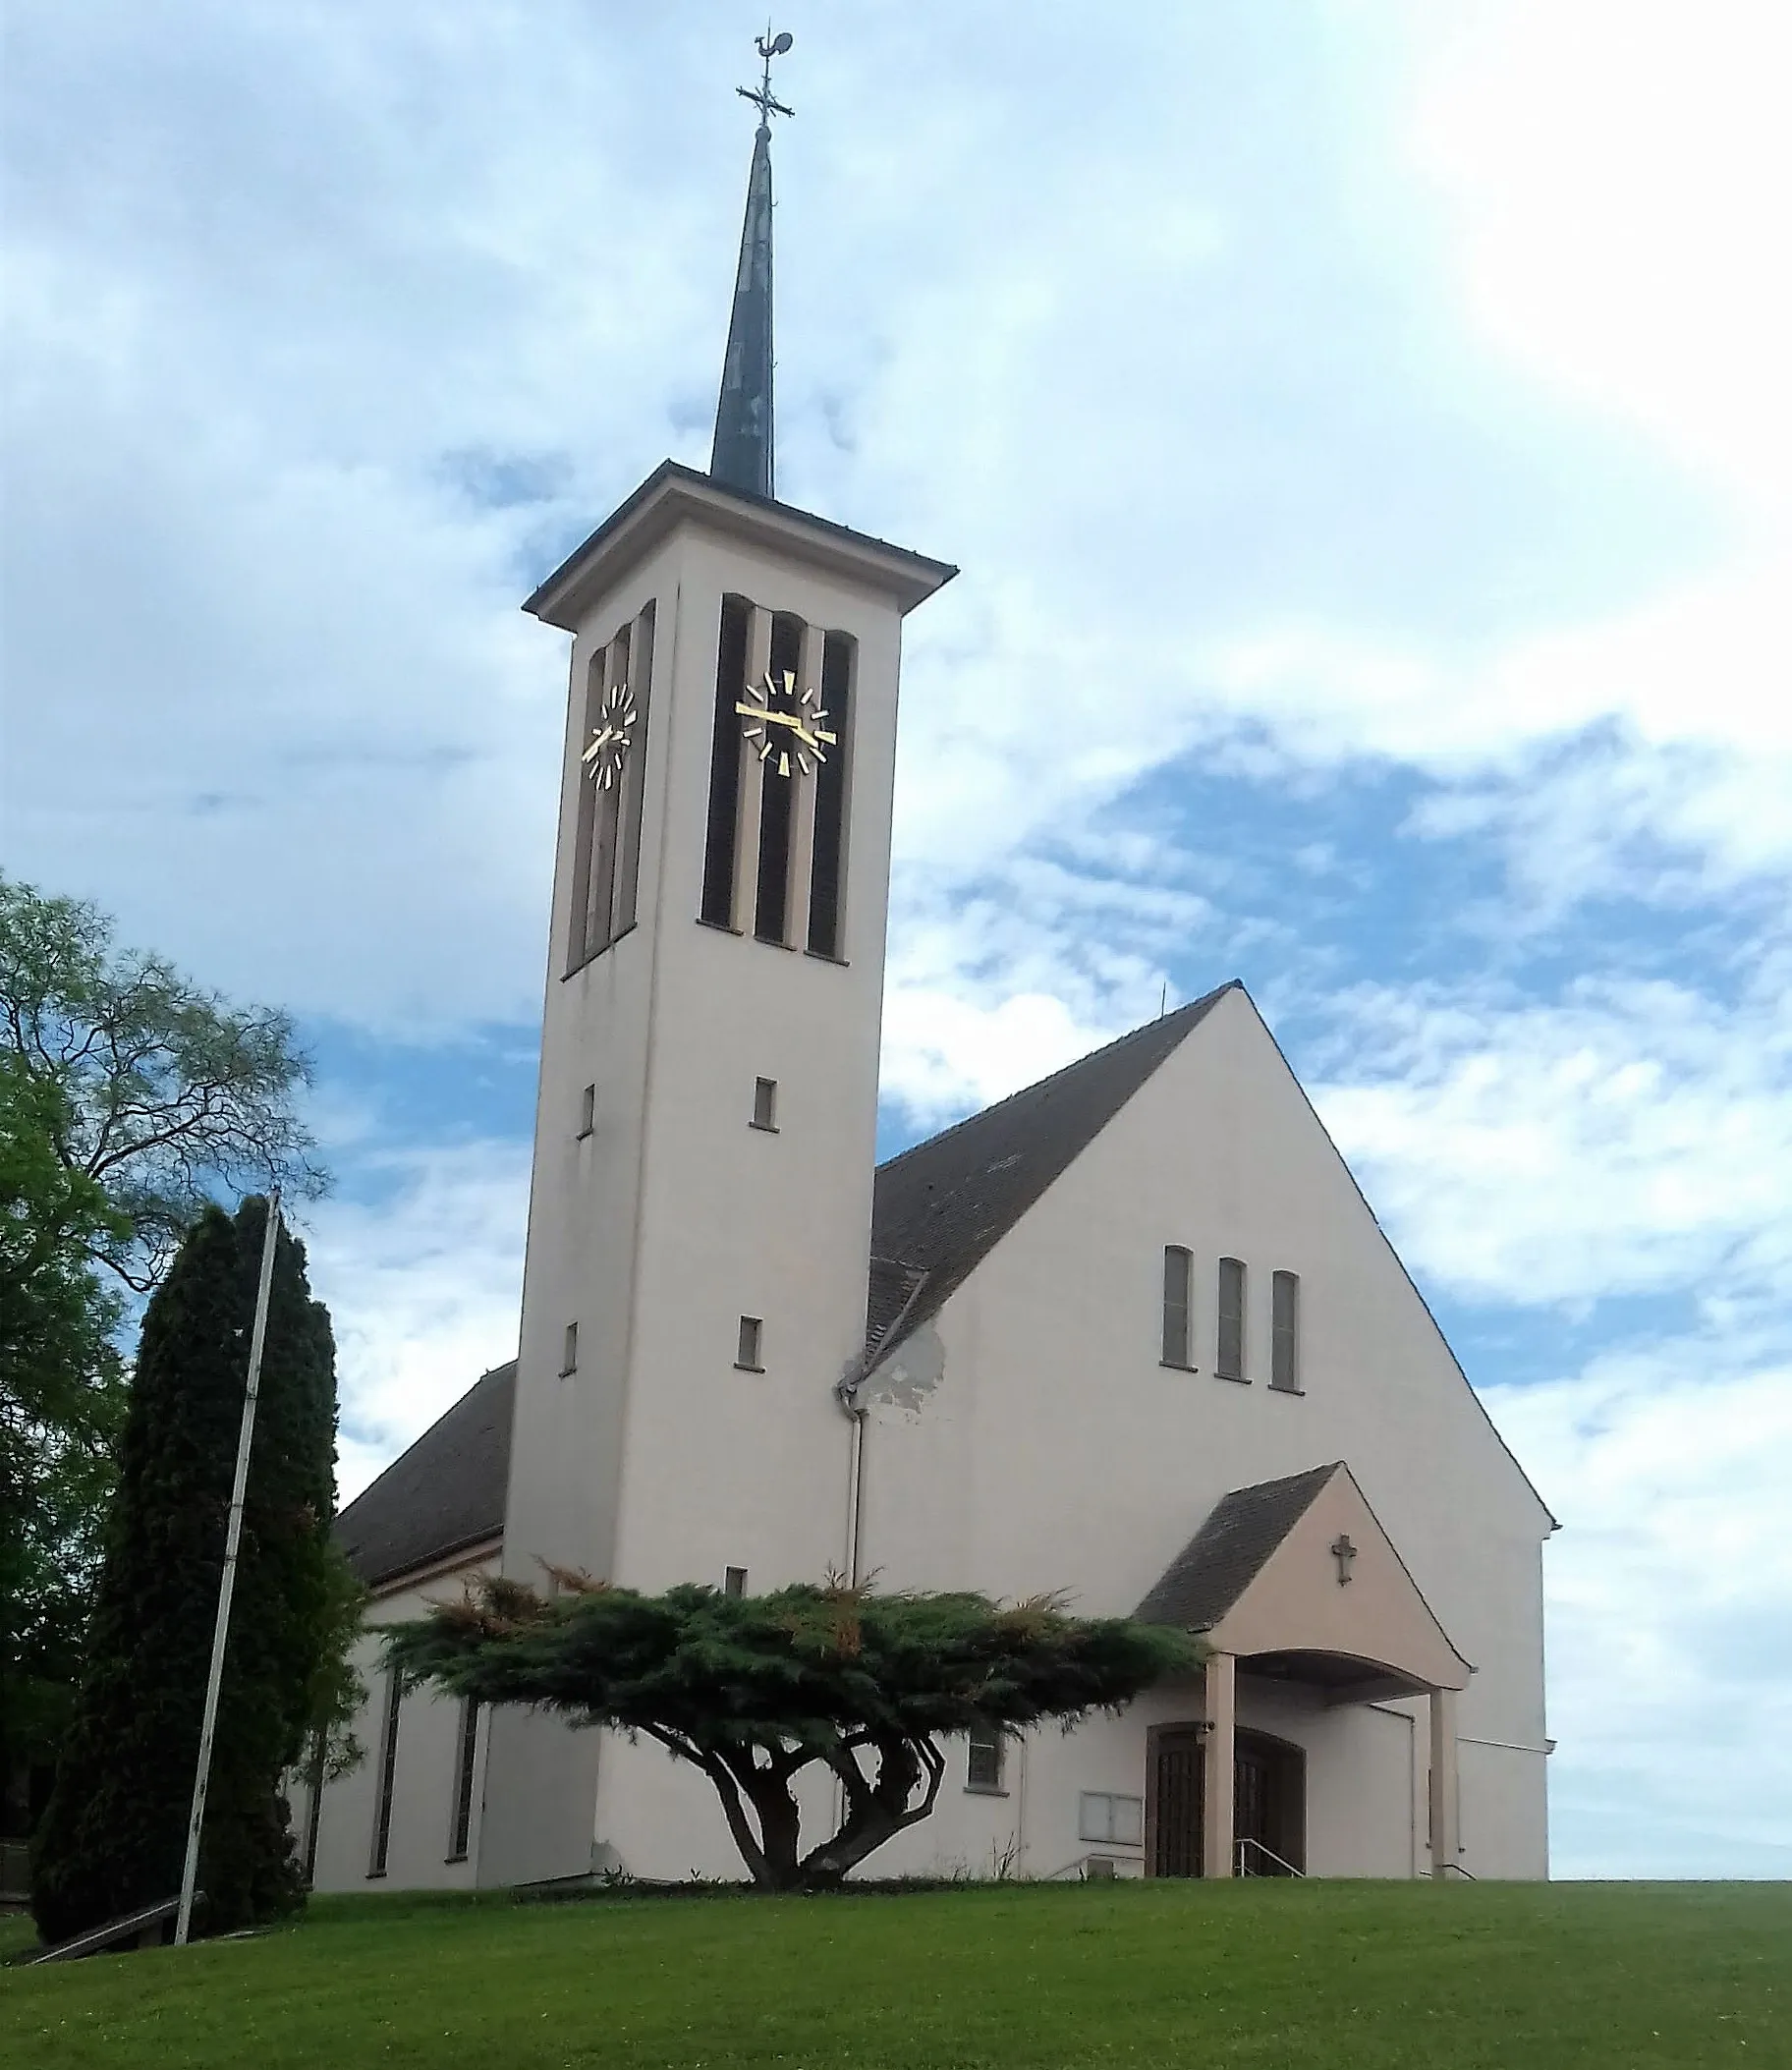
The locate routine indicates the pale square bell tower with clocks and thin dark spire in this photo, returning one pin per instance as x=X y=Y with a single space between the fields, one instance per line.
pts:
x=700 y=1204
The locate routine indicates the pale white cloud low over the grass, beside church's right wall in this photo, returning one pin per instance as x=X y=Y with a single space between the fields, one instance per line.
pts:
x=1667 y=1607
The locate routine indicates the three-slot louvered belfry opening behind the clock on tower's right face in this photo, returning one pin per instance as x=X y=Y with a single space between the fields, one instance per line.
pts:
x=775 y=860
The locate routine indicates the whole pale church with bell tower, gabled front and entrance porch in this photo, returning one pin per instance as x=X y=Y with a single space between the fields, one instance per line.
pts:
x=1133 y=1334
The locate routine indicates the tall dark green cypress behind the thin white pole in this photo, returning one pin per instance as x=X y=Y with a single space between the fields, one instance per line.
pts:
x=115 y=1831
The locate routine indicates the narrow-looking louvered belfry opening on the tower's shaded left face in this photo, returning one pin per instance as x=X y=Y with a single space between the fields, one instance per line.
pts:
x=607 y=846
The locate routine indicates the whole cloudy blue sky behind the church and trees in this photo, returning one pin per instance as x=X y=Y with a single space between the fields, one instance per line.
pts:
x=1363 y=430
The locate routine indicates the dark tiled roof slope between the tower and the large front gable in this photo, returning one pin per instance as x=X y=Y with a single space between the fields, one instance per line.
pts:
x=943 y=1206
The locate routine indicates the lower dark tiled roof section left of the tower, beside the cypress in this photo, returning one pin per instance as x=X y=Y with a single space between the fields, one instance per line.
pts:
x=442 y=1496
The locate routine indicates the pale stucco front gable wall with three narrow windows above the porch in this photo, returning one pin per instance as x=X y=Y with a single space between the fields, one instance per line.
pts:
x=1032 y=1440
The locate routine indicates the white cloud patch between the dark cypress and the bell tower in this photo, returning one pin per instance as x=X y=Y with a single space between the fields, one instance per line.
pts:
x=425 y=1287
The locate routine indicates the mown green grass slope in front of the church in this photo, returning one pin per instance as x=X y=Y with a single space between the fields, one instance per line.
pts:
x=1261 y=1976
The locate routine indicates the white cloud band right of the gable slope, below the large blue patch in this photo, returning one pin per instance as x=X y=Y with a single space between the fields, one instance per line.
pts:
x=1634 y=1137
